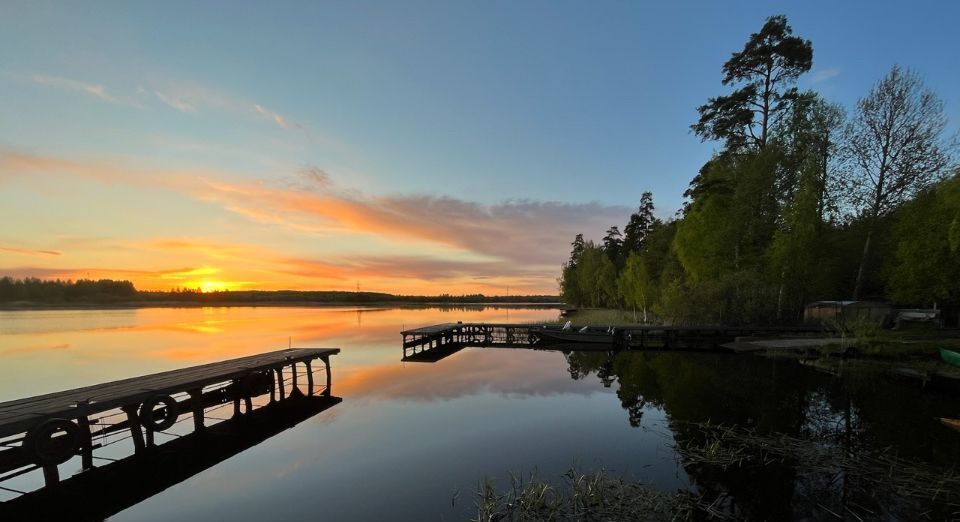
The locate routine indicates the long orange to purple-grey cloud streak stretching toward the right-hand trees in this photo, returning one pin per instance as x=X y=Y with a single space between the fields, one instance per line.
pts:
x=523 y=231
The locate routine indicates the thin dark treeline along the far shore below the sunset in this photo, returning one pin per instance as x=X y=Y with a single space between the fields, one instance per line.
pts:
x=108 y=291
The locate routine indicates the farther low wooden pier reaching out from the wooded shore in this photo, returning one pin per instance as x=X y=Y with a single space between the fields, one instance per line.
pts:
x=432 y=343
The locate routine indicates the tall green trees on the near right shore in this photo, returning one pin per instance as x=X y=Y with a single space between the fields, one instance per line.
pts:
x=801 y=202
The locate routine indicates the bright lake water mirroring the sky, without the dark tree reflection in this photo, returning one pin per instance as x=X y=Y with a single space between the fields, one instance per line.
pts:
x=407 y=436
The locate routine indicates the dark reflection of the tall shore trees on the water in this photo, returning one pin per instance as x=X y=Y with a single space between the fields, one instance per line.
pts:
x=836 y=425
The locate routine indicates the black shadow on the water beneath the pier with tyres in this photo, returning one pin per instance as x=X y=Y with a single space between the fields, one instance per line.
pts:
x=106 y=490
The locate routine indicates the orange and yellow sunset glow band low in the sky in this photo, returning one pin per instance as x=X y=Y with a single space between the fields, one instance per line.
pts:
x=202 y=229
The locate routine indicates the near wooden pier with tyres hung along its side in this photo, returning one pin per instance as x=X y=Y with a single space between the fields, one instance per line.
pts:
x=45 y=431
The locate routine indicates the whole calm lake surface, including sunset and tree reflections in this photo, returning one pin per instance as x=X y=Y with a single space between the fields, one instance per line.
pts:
x=412 y=441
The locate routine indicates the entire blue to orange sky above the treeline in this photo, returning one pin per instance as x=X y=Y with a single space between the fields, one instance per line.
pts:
x=409 y=147
